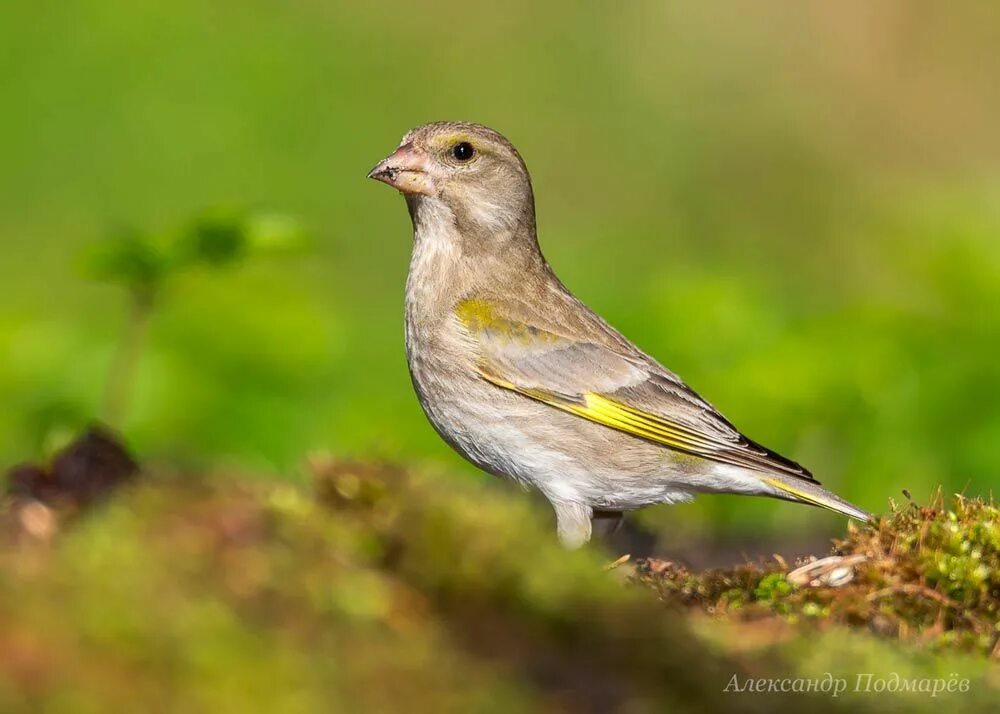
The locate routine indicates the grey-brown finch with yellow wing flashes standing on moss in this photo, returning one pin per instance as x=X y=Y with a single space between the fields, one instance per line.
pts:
x=528 y=383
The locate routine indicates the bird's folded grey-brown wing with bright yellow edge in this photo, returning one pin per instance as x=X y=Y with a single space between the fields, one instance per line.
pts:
x=623 y=391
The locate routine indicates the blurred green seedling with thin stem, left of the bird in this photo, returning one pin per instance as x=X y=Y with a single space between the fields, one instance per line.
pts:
x=143 y=263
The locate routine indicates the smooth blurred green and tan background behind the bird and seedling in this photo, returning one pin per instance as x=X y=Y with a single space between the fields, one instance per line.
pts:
x=796 y=207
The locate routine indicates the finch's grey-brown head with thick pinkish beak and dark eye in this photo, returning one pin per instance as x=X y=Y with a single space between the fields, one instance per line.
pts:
x=467 y=173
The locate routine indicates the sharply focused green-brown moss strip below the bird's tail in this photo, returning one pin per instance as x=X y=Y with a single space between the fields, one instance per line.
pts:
x=931 y=577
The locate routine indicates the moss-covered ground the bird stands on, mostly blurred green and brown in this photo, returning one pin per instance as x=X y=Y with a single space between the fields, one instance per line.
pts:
x=383 y=590
